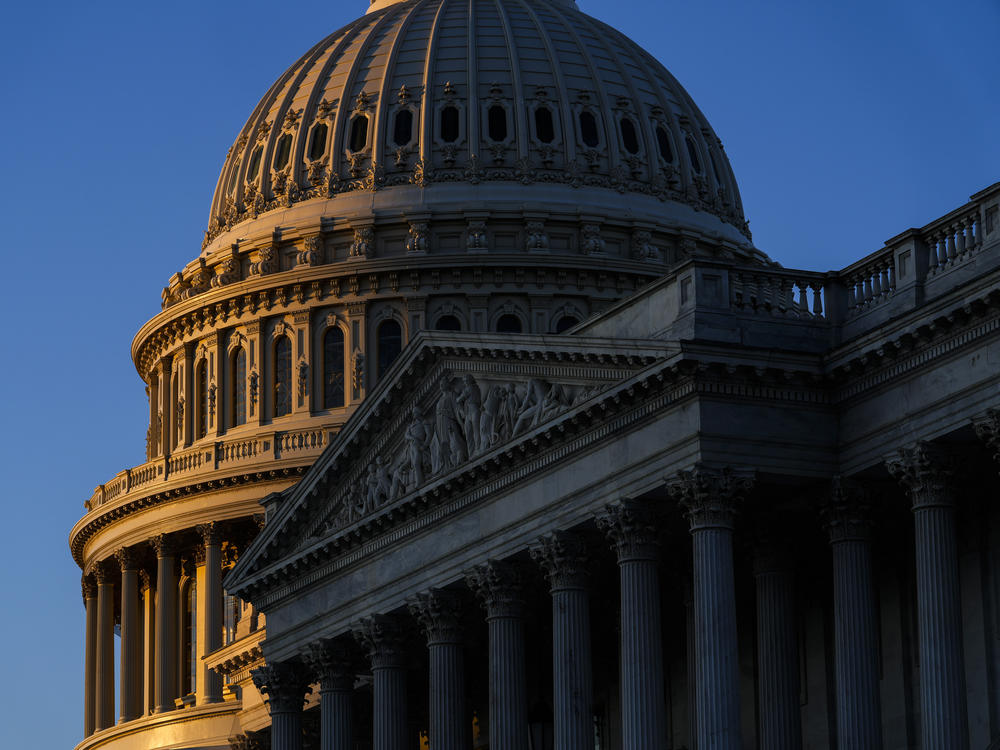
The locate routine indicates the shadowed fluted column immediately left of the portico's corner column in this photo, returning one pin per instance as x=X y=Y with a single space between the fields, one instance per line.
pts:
x=632 y=531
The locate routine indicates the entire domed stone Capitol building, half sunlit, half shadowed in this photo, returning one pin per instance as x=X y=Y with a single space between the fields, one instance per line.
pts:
x=480 y=422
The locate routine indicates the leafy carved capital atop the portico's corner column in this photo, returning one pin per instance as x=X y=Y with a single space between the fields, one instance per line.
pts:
x=710 y=497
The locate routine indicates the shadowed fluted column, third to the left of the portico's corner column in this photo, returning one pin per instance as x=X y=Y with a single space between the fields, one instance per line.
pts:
x=498 y=586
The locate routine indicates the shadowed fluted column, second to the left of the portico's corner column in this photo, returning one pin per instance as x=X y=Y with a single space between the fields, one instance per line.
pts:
x=563 y=557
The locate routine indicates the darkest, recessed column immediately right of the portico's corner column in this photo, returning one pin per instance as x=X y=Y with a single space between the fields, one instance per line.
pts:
x=779 y=717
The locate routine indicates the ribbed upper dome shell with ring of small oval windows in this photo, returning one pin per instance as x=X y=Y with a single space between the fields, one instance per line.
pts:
x=418 y=95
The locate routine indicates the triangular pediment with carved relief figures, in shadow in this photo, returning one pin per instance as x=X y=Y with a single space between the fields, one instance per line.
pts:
x=455 y=404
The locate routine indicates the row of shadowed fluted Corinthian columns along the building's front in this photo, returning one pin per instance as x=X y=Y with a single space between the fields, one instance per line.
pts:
x=711 y=500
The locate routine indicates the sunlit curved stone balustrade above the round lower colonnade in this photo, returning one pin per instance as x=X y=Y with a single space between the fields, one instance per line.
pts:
x=218 y=456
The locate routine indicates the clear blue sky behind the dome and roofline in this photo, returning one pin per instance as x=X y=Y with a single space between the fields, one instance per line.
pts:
x=846 y=123
